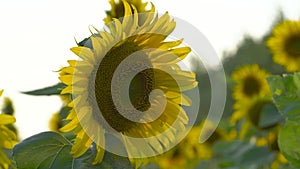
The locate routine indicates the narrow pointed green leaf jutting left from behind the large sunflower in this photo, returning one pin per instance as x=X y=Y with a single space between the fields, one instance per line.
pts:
x=47 y=91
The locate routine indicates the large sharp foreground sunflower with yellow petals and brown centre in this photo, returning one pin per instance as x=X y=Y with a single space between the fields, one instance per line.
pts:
x=146 y=121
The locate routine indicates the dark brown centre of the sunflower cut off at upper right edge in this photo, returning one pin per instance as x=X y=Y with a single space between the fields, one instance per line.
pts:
x=292 y=46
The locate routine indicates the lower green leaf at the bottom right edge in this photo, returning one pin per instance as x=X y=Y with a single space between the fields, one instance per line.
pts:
x=289 y=140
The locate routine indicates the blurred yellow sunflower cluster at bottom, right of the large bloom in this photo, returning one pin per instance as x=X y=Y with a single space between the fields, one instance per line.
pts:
x=190 y=152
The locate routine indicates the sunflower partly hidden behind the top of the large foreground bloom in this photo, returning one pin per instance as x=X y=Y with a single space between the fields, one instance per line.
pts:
x=117 y=9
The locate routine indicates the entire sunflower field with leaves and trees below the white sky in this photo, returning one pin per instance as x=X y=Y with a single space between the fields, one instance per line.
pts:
x=131 y=99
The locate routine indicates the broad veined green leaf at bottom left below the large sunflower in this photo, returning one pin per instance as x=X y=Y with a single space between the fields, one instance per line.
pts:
x=48 y=150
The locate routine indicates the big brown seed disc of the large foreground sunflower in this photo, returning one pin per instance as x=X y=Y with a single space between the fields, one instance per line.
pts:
x=110 y=100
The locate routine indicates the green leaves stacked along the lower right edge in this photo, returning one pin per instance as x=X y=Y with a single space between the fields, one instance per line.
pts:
x=286 y=95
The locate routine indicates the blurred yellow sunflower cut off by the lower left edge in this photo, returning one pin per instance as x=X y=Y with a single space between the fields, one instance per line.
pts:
x=8 y=138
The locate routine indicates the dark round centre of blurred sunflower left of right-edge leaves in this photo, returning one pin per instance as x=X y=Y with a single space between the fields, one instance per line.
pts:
x=251 y=86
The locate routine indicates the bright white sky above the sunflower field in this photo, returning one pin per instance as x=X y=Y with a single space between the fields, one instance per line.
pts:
x=36 y=37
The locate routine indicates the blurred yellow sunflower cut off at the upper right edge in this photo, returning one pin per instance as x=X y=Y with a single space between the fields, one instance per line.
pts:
x=285 y=45
